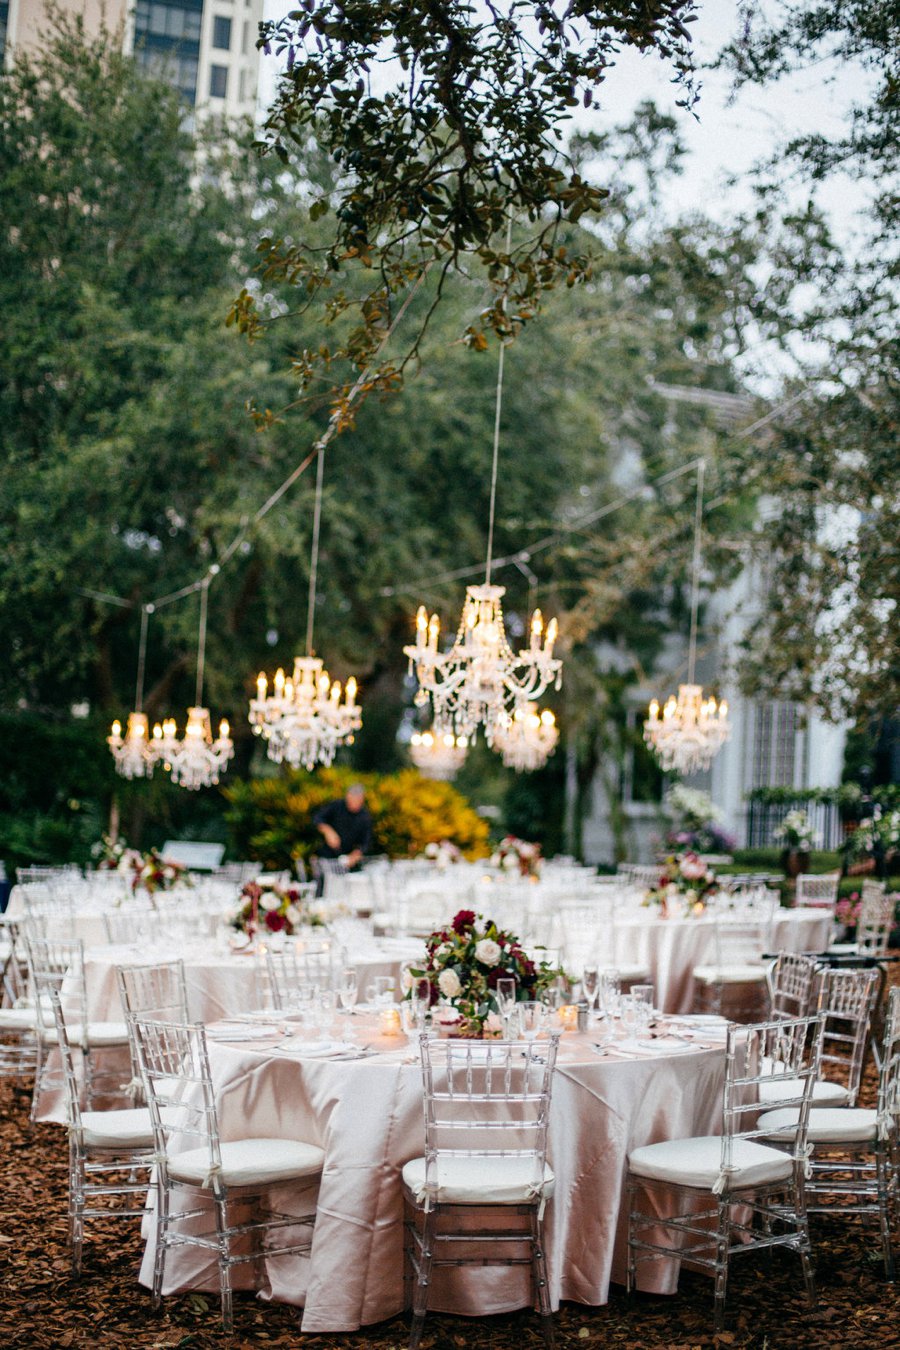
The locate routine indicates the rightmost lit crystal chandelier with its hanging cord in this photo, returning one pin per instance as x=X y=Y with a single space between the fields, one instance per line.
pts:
x=692 y=730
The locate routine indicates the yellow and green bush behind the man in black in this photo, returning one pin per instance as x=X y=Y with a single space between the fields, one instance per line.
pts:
x=272 y=819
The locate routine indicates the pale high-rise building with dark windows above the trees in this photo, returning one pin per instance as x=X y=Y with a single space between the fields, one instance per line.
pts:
x=207 y=48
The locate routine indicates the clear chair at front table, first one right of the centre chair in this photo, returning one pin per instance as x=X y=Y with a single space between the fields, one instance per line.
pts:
x=728 y=1195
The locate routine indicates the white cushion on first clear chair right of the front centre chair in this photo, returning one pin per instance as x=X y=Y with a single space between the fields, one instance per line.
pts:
x=697 y=1163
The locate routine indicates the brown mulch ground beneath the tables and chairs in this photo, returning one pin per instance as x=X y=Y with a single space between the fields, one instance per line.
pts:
x=44 y=1309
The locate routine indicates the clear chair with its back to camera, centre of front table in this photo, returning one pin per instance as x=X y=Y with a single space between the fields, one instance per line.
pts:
x=486 y=1123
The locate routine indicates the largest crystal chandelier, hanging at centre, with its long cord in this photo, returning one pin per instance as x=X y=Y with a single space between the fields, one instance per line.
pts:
x=481 y=680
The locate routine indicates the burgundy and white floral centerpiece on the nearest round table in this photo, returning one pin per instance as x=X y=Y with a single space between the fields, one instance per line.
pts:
x=463 y=965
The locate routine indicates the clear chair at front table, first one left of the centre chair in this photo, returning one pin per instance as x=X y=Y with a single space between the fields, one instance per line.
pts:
x=198 y=1171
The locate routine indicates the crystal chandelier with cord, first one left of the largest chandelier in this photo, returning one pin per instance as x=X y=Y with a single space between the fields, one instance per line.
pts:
x=304 y=720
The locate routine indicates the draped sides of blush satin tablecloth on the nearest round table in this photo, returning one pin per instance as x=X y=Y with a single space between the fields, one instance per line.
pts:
x=368 y=1116
